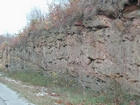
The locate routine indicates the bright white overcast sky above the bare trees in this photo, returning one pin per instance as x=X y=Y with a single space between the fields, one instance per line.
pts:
x=13 y=14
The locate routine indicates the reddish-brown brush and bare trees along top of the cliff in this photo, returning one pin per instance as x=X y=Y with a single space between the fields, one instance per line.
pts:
x=67 y=13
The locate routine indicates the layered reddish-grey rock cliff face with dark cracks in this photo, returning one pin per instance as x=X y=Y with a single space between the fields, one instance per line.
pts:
x=105 y=46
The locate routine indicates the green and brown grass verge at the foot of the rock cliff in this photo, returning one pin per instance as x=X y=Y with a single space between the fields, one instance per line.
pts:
x=67 y=91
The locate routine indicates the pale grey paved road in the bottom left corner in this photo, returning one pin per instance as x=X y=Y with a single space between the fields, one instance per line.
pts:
x=10 y=97
